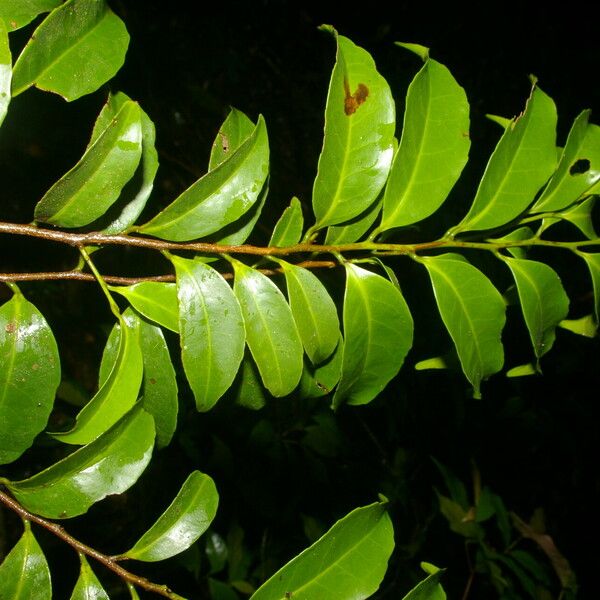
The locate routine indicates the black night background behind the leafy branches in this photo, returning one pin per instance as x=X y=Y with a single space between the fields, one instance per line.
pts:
x=535 y=440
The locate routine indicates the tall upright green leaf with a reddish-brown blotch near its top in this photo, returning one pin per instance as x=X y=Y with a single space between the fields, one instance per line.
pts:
x=358 y=143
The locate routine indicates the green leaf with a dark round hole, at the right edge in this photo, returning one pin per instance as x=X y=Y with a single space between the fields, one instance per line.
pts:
x=578 y=169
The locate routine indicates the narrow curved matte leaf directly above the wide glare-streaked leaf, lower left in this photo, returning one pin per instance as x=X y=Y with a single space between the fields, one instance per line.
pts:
x=118 y=387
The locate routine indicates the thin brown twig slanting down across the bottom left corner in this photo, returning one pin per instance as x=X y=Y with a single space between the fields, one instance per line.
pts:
x=107 y=561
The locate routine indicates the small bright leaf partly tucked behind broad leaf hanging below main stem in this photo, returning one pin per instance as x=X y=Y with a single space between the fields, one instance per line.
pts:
x=155 y=300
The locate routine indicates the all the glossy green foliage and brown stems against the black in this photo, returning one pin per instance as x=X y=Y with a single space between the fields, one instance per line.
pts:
x=251 y=341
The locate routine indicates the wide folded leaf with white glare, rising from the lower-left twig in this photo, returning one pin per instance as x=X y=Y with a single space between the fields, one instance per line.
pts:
x=110 y=464
